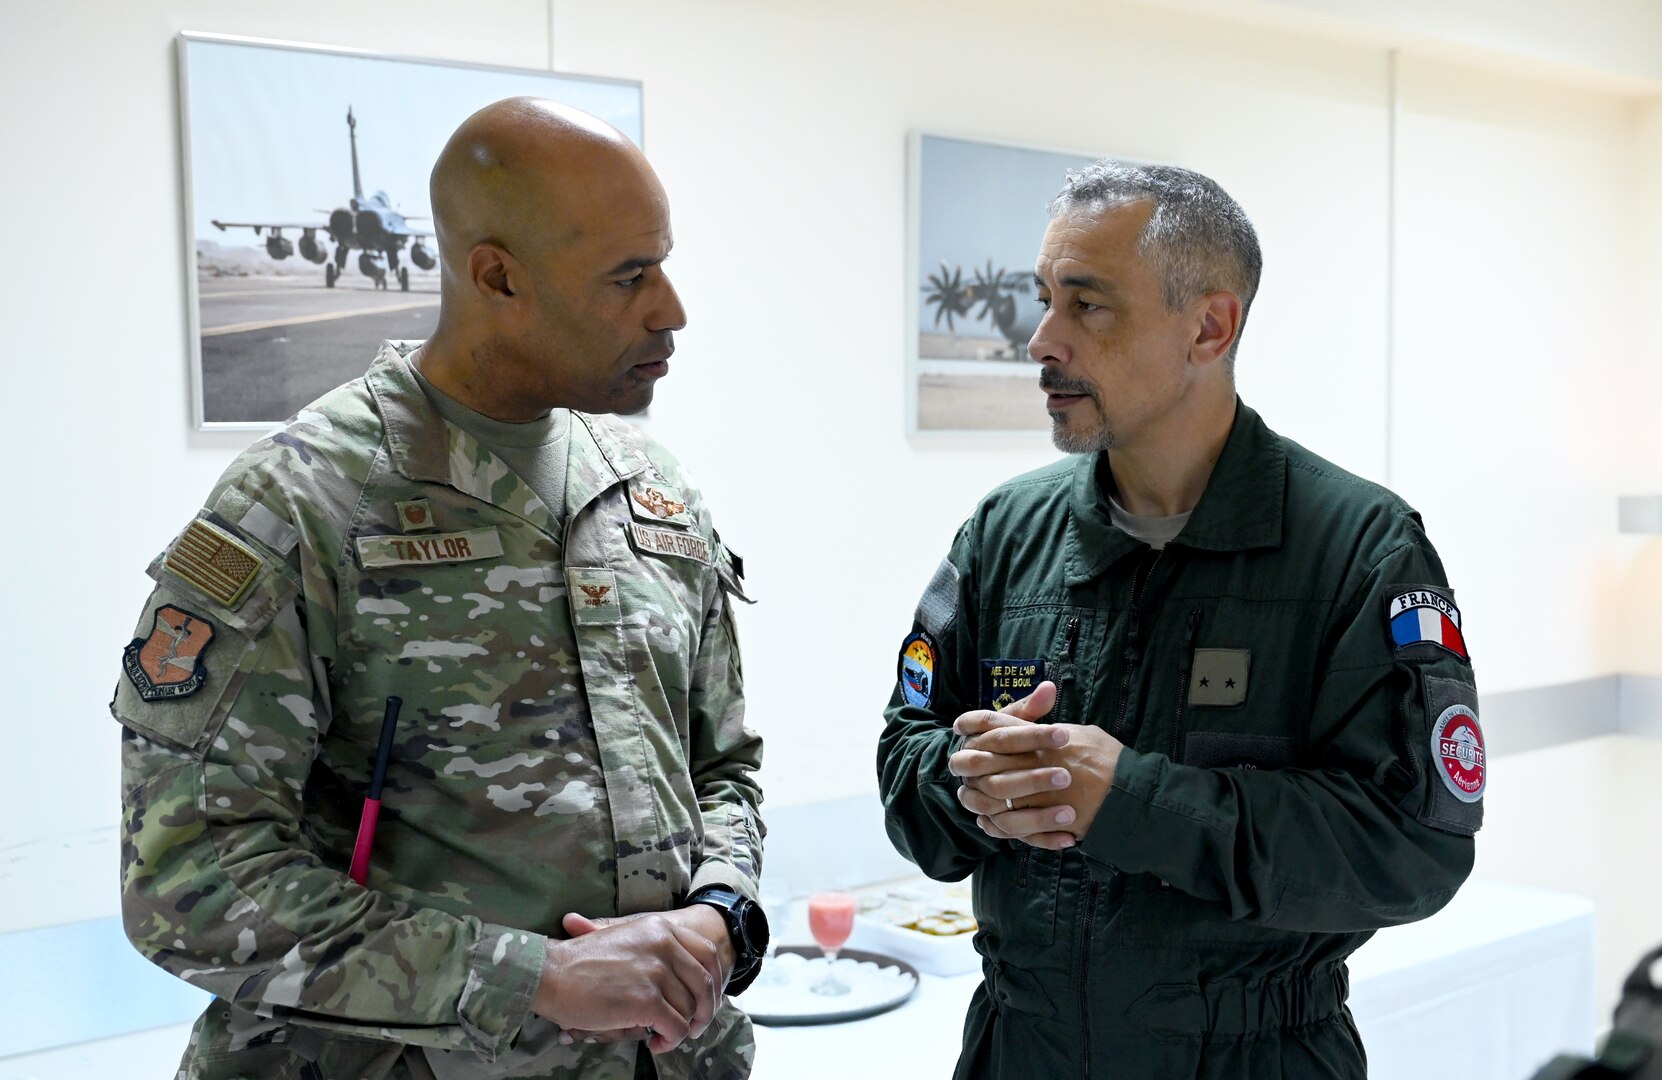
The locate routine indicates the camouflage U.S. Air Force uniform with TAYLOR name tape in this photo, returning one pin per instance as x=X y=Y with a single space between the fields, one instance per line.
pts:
x=571 y=740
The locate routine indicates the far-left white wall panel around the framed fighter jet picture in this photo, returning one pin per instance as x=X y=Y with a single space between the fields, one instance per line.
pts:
x=106 y=468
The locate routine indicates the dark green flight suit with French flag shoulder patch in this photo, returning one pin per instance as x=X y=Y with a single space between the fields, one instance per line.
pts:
x=1304 y=763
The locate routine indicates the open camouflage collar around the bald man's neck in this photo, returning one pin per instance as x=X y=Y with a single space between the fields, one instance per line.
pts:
x=426 y=448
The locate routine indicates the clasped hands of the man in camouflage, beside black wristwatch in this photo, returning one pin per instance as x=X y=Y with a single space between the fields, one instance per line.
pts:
x=654 y=976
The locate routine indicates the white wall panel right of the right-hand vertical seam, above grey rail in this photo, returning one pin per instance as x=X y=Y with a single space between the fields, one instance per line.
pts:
x=1512 y=297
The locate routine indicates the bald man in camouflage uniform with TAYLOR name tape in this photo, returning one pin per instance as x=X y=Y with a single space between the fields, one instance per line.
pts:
x=564 y=871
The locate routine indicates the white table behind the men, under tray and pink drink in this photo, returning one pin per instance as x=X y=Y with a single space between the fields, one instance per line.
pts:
x=1488 y=989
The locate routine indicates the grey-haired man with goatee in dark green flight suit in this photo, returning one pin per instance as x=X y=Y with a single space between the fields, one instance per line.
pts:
x=1194 y=707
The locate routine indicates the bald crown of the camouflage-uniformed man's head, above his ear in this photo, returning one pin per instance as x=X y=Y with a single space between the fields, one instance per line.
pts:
x=521 y=174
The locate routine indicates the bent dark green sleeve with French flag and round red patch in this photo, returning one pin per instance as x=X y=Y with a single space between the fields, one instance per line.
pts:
x=1379 y=825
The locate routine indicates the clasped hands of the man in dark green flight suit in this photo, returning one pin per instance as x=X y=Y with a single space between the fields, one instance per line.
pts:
x=1028 y=782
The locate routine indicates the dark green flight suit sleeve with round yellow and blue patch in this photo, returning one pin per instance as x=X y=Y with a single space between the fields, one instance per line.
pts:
x=935 y=684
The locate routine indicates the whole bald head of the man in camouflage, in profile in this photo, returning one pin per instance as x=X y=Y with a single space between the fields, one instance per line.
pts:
x=553 y=237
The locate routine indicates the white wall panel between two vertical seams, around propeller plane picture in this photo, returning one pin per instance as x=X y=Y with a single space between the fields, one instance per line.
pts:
x=780 y=137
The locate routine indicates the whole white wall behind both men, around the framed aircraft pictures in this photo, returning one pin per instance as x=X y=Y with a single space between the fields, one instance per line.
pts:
x=1522 y=391
